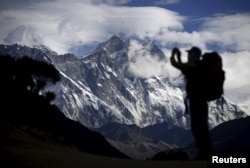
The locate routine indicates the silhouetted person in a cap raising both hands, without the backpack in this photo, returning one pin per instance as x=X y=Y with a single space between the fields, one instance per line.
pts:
x=198 y=106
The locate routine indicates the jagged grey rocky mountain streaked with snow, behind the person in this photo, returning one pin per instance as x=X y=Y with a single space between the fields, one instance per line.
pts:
x=99 y=88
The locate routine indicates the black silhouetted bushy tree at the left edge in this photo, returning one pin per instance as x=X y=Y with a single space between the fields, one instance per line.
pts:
x=22 y=84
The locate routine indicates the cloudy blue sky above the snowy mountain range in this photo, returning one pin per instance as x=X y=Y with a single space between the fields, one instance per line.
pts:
x=210 y=24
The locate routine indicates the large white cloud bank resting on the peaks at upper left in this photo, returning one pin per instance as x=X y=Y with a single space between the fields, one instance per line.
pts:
x=62 y=24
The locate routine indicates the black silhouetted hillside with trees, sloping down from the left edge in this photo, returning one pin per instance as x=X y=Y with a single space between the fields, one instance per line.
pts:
x=24 y=103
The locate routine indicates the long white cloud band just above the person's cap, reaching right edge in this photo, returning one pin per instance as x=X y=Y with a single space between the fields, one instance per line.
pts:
x=226 y=32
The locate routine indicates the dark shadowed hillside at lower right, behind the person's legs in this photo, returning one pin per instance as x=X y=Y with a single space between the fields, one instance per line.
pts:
x=229 y=139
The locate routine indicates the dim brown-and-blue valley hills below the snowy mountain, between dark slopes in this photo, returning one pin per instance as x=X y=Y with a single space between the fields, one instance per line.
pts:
x=143 y=143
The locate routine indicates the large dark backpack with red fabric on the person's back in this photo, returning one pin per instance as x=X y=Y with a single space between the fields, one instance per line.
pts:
x=209 y=76
